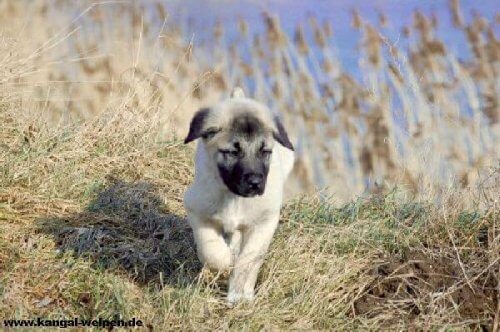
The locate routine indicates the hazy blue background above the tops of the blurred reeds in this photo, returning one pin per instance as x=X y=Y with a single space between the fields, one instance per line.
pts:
x=203 y=14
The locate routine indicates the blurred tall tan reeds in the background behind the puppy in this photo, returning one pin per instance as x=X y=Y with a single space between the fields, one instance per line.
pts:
x=419 y=115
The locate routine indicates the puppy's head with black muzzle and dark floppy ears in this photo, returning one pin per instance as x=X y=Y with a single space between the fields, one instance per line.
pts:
x=239 y=135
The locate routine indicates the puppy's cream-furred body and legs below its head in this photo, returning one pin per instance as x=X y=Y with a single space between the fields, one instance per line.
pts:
x=234 y=232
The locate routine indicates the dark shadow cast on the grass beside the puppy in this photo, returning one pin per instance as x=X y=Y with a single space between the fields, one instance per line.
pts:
x=128 y=226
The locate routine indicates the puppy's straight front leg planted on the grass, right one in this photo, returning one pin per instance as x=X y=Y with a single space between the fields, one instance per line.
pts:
x=256 y=241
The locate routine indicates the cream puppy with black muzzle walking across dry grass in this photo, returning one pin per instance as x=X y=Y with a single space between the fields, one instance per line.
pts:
x=242 y=161
